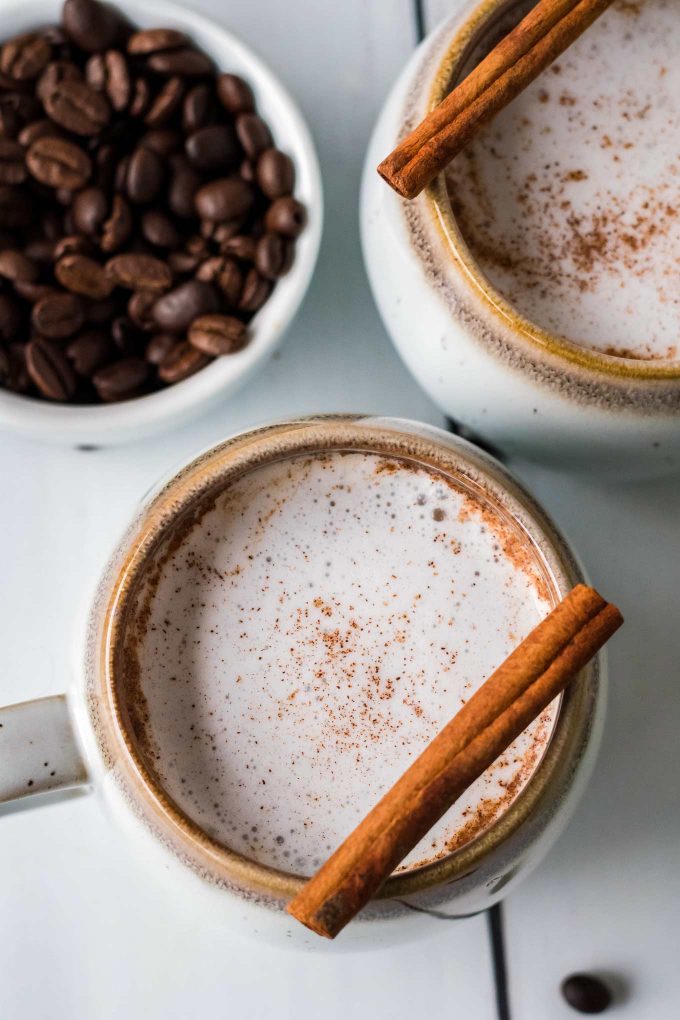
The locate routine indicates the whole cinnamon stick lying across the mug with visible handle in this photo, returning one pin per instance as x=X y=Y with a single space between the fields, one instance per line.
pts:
x=515 y=695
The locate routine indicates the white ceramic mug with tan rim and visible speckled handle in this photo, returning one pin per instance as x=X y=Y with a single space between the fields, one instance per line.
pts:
x=88 y=738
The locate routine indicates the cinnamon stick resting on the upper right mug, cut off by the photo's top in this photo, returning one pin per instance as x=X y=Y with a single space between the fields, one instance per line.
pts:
x=547 y=32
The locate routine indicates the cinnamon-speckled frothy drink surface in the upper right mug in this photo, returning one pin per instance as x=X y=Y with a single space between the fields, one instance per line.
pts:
x=570 y=199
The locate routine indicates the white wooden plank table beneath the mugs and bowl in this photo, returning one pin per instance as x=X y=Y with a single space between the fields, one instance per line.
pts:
x=86 y=934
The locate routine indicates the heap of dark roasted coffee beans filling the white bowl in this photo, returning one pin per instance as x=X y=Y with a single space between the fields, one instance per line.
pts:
x=147 y=211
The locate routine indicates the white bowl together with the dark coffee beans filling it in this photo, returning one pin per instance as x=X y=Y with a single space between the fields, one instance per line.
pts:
x=161 y=217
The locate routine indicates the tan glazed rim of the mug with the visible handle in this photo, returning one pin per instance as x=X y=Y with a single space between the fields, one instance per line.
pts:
x=476 y=472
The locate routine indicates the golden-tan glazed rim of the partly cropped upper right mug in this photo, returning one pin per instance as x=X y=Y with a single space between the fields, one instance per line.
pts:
x=464 y=38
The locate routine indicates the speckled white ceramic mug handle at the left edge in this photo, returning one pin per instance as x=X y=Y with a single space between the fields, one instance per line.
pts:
x=39 y=753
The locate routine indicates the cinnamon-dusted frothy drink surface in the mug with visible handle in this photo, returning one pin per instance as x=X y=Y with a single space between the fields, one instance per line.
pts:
x=296 y=650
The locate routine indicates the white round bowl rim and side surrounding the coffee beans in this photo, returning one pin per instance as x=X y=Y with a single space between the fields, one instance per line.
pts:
x=96 y=425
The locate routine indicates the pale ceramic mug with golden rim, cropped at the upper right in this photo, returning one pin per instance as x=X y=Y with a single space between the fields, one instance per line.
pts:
x=522 y=389
